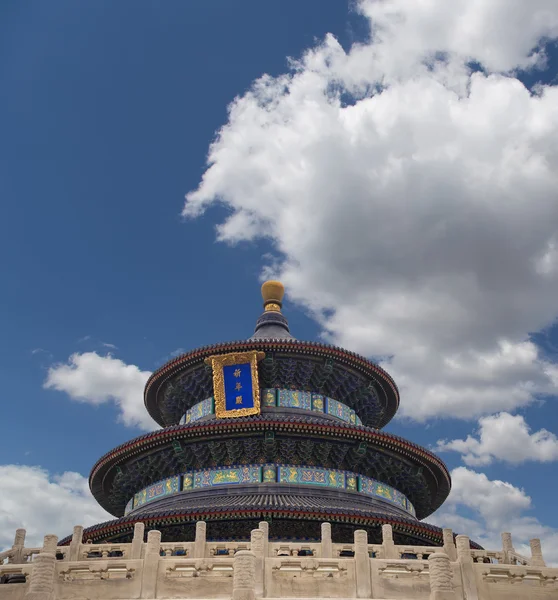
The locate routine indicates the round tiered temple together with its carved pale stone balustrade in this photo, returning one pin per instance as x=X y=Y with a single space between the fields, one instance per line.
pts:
x=271 y=478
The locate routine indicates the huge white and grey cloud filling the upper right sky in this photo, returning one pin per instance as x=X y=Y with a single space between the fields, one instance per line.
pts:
x=418 y=222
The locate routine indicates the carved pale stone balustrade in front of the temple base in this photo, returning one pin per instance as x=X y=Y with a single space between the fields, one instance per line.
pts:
x=259 y=568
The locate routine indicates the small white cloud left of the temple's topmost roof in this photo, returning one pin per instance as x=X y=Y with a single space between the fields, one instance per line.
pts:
x=89 y=377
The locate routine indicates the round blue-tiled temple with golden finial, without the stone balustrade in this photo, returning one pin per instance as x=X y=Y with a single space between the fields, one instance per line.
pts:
x=270 y=429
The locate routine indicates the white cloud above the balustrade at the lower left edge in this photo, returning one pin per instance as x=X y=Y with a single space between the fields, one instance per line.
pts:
x=45 y=504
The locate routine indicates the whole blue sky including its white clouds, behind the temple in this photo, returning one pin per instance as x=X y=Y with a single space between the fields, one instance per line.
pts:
x=107 y=114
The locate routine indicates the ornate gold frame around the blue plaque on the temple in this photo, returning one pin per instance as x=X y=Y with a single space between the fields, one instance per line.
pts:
x=217 y=362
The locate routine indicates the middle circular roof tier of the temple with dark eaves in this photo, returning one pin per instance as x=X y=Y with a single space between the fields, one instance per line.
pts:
x=413 y=470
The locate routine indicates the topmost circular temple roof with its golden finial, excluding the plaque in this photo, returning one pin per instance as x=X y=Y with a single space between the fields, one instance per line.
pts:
x=288 y=364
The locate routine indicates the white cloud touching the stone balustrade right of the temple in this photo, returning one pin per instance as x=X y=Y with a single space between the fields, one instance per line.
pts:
x=494 y=507
